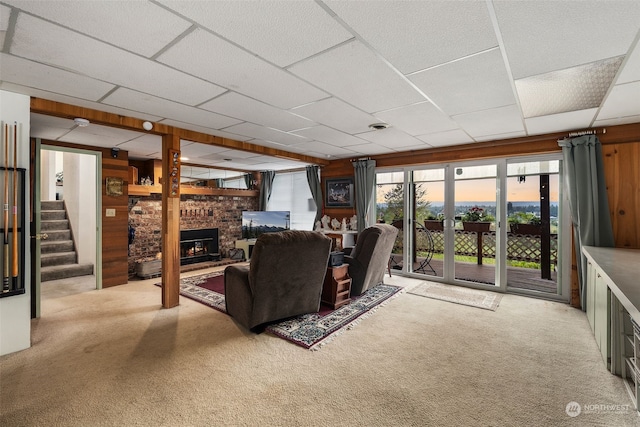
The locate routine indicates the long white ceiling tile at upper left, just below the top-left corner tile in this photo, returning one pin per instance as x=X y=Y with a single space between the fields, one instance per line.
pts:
x=44 y=42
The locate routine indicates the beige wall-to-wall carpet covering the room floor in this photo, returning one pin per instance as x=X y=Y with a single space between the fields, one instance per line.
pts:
x=114 y=358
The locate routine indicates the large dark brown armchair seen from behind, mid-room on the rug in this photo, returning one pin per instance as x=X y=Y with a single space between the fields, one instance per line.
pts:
x=284 y=278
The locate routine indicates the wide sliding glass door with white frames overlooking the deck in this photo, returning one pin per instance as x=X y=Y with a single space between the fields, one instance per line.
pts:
x=467 y=223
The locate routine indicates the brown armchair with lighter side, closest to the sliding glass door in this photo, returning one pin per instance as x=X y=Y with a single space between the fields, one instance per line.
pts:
x=369 y=259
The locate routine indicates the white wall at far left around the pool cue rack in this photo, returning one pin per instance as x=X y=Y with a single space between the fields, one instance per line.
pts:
x=15 y=311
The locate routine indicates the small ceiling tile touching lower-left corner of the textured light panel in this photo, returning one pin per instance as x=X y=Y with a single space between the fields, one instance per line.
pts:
x=491 y=122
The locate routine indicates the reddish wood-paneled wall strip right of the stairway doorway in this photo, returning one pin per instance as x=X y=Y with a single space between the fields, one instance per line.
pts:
x=114 y=229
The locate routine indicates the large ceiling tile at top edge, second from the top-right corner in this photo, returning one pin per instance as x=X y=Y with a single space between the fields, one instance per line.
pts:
x=416 y=35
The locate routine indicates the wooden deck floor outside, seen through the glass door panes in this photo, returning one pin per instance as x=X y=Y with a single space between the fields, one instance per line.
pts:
x=517 y=278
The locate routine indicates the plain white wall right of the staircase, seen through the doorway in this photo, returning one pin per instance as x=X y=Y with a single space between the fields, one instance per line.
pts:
x=79 y=191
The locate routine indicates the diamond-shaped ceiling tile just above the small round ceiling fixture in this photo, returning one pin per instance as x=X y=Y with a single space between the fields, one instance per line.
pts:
x=356 y=75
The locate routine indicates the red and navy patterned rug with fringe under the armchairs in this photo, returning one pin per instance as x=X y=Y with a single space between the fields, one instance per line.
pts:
x=310 y=331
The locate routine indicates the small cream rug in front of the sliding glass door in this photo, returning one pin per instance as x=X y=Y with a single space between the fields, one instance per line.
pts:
x=458 y=294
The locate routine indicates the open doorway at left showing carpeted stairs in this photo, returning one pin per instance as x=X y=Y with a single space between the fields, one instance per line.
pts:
x=66 y=222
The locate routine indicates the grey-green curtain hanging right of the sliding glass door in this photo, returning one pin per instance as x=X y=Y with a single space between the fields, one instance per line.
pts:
x=585 y=185
